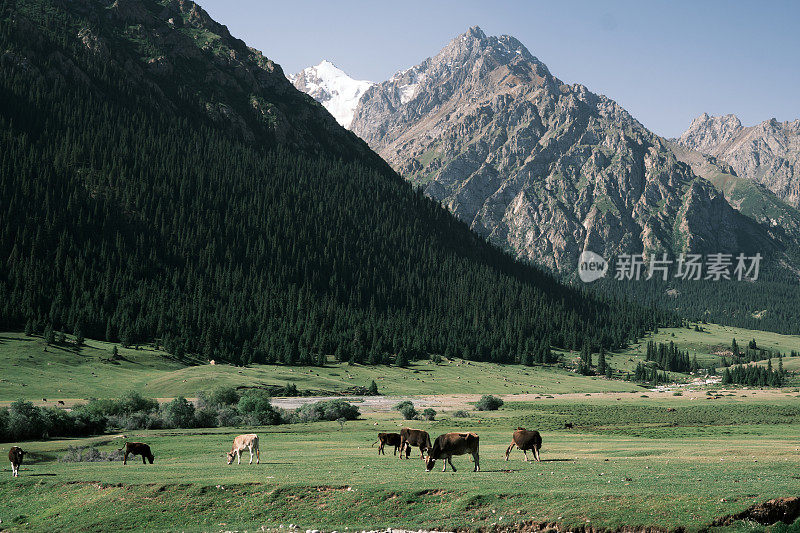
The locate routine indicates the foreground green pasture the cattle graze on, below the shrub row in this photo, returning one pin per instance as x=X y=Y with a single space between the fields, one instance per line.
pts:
x=627 y=463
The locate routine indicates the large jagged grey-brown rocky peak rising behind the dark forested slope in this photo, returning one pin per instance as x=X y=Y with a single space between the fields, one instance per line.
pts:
x=538 y=166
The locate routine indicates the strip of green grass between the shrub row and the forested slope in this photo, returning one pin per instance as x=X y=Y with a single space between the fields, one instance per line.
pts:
x=28 y=371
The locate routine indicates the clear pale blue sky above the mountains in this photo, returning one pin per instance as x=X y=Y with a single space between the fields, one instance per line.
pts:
x=665 y=62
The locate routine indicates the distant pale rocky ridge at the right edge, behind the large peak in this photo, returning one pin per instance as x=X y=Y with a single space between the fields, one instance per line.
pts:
x=767 y=153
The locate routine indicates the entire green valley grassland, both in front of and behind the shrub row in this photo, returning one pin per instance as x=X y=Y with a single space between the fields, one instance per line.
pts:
x=633 y=460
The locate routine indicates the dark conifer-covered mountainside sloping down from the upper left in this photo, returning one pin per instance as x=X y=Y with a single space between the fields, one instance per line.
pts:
x=214 y=209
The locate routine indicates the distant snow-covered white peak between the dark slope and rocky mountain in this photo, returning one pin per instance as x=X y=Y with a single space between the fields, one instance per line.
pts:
x=333 y=88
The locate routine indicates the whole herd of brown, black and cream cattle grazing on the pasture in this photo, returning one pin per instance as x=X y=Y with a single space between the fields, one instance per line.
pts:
x=444 y=447
